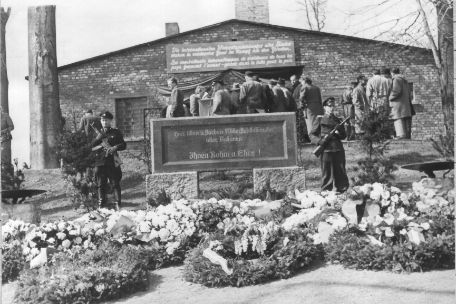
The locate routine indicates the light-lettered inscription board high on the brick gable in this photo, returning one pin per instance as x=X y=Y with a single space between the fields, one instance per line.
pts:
x=182 y=58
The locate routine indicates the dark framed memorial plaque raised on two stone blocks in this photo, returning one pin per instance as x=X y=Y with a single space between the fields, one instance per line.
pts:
x=223 y=142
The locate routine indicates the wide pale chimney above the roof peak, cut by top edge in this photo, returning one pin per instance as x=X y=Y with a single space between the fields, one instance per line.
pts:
x=252 y=10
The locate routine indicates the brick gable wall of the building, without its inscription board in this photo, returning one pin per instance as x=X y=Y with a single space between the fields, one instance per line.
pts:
x=332 y=62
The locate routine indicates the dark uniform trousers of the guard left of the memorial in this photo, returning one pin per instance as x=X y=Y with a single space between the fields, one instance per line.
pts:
x=114 y=175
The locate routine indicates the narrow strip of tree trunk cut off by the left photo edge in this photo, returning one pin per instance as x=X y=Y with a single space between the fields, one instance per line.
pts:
x=6 y=146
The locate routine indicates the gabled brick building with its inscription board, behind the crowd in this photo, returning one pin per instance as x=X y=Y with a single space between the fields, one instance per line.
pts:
x=131 y=83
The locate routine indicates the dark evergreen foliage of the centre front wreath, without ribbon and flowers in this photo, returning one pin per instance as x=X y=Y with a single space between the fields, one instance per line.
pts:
x=289 y=254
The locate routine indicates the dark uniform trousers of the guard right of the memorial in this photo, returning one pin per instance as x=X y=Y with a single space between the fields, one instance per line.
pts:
x=333 y=171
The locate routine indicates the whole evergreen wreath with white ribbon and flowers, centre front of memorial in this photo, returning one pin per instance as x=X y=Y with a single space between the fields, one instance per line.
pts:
x=283 y=255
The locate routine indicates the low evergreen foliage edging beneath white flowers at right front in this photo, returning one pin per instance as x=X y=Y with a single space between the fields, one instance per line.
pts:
x=350 y=248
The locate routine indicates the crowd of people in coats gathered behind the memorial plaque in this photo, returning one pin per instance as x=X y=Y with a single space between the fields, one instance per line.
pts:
x=385 y=92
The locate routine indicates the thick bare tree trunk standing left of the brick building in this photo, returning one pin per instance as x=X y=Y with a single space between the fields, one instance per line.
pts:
x=45 y=115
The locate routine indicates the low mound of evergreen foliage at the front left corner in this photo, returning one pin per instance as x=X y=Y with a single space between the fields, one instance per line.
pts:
x=110 y=272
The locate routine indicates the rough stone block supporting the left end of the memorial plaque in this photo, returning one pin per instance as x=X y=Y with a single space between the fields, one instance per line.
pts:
x=176 y=185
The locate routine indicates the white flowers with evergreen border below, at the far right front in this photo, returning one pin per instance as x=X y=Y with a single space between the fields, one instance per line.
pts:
x=404 y=234
